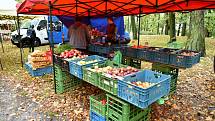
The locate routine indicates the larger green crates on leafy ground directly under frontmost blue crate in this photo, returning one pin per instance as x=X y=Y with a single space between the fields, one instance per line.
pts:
x=119 y=110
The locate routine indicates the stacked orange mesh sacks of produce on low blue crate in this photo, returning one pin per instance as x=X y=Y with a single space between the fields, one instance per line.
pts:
x=39 y=59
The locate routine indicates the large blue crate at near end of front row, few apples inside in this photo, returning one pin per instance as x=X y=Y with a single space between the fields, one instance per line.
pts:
x=143 y=97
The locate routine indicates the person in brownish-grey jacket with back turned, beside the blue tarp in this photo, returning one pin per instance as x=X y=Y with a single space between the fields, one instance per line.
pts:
x=79 y=35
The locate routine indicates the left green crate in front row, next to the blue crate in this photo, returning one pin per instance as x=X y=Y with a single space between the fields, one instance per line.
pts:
x=91 y=77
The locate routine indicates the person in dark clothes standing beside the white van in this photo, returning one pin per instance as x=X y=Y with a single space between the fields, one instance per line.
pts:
x=32 y=35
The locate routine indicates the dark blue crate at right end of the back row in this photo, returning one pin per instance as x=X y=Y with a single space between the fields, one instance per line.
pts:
x=185 y=61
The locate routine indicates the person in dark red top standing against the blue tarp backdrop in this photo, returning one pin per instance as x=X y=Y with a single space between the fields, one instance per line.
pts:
x=111 y=31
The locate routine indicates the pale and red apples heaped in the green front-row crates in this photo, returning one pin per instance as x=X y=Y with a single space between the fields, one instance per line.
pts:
x=116 y=71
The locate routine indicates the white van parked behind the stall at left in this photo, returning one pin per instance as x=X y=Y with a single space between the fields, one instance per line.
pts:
x=40 y=27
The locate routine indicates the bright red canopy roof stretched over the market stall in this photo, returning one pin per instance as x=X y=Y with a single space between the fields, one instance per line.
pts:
x=100 y=8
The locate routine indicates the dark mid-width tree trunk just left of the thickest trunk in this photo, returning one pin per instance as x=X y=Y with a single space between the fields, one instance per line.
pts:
x=172 y=31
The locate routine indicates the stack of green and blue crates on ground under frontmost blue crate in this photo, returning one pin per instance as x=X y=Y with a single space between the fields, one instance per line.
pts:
x=110 y=108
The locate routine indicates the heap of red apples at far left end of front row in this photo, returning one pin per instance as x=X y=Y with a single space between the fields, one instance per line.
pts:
x=72 y=53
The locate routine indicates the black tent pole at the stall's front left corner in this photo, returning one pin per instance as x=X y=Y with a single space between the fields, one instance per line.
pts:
x=52 y=42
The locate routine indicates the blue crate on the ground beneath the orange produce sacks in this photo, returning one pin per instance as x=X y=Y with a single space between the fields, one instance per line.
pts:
x=39 y=71
